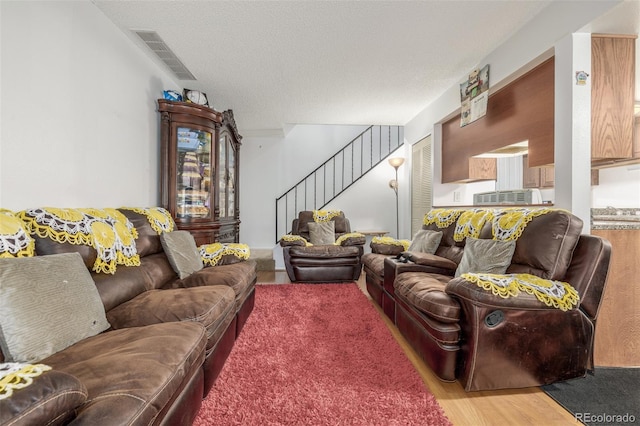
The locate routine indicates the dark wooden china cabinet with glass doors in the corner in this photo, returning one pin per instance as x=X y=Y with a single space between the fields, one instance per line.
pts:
x=199 y=170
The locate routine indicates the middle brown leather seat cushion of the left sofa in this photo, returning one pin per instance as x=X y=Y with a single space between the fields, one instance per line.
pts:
x=213 y=307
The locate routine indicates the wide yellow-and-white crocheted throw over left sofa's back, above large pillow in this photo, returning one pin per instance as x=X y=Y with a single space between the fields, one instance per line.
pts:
x=106 y=230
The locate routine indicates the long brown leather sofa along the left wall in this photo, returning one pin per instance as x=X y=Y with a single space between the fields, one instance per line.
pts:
x=168 y=341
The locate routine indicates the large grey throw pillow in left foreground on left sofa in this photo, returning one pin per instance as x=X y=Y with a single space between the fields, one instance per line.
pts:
x=47 y=303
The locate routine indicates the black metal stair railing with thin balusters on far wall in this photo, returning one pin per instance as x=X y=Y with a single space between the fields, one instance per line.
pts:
x=337 y=174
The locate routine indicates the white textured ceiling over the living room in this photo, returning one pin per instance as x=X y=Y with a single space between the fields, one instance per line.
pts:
x=277 y=63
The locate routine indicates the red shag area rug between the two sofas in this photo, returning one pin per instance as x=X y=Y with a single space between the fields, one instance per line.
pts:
x=318 y=354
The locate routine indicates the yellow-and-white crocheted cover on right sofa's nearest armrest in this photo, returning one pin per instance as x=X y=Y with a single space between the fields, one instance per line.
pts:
x=552 y=293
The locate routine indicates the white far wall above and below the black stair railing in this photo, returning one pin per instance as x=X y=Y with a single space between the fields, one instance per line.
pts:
x=270 y=166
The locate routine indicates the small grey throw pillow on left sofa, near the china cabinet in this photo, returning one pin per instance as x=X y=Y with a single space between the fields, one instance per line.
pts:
x=182 y=252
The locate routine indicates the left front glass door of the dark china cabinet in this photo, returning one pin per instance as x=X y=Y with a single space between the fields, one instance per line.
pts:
x=193 y=172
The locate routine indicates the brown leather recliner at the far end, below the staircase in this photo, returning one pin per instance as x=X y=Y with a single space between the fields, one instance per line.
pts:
x=325 y=262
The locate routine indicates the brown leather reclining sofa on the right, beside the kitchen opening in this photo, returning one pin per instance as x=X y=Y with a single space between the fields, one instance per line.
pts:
x=465 y=332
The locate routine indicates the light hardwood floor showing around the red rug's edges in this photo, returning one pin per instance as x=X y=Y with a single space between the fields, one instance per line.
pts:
x=529 y=406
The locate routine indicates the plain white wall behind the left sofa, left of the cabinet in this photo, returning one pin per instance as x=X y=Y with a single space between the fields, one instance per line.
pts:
x=79 y=120
